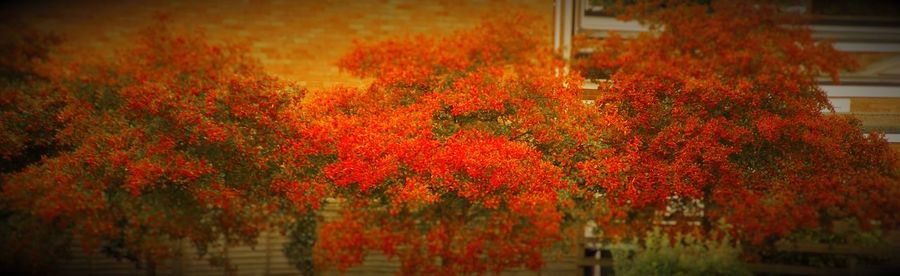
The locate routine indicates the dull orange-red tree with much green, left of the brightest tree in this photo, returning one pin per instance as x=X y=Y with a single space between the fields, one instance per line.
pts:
x=176 y=138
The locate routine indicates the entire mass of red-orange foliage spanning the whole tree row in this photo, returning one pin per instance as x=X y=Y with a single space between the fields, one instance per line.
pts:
x=466 y=154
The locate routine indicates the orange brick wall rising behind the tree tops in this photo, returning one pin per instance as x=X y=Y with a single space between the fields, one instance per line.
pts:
x=294 y=39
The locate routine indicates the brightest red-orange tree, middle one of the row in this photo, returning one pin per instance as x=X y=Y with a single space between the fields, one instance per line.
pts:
x=457 y=157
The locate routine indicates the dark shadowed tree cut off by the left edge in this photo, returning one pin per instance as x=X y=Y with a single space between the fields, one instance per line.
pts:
x=28 y=105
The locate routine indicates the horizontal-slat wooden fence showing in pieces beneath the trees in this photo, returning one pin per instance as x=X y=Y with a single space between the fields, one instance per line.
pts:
x=267 y=258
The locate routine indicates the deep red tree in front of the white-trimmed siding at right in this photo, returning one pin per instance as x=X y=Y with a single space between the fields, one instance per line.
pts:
x=715 y=116
